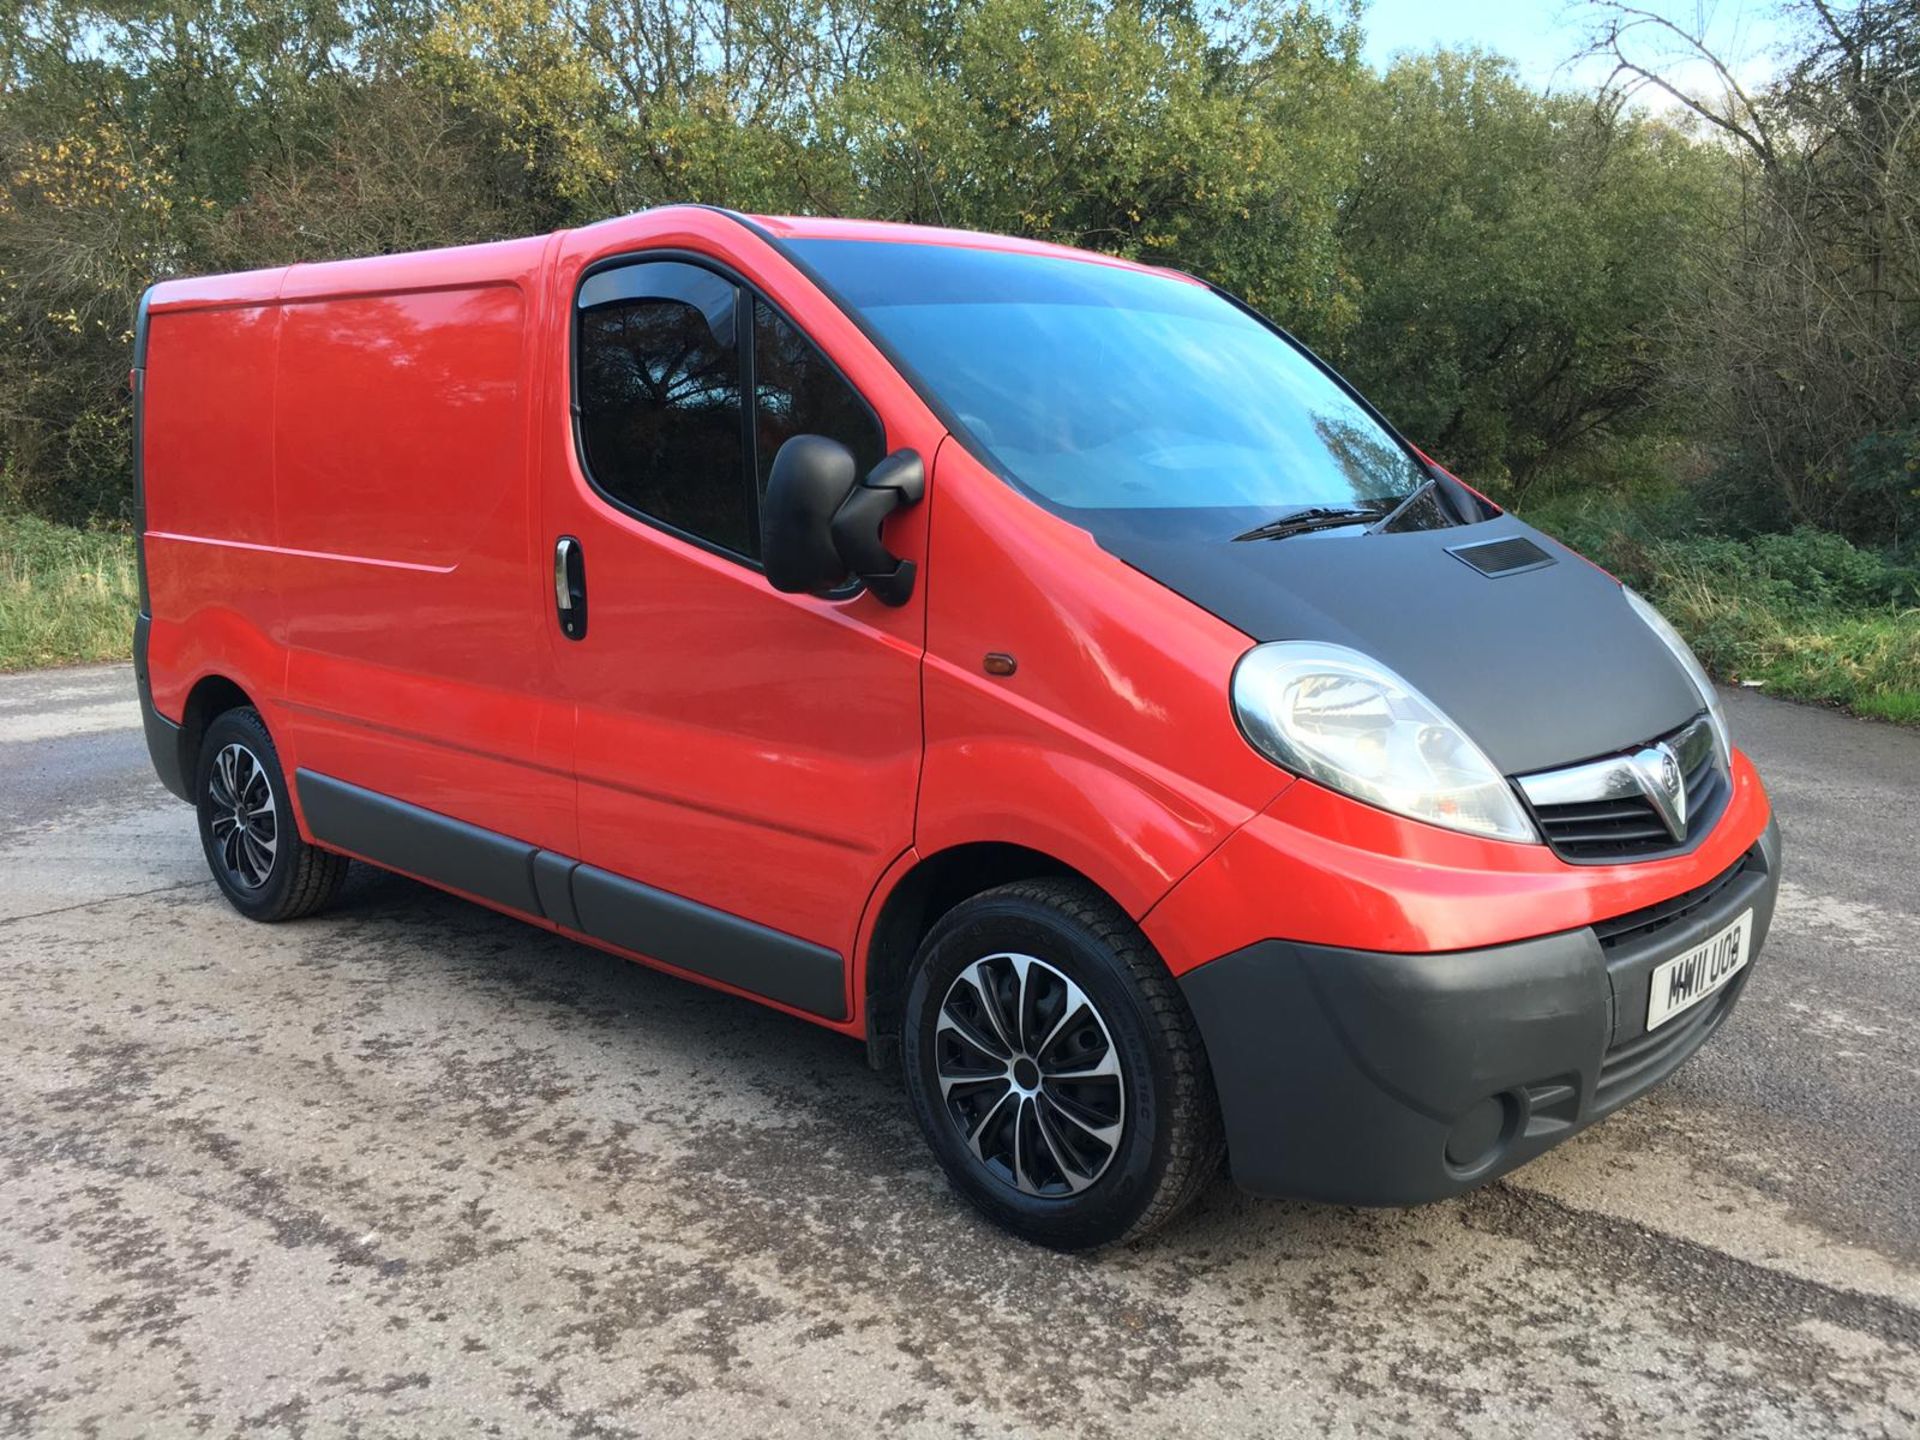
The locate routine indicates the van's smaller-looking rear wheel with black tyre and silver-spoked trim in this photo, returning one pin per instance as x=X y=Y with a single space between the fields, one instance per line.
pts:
x=247 y=827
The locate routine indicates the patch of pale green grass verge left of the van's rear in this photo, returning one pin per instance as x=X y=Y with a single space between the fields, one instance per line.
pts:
x=66 y=596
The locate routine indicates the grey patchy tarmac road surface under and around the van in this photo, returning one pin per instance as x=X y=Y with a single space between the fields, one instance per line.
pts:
x=414 y=1168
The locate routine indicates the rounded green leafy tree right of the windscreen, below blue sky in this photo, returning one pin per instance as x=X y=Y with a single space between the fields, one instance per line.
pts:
x=1520 y=260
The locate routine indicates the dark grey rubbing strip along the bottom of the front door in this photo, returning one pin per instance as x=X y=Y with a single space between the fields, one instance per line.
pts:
x=711 y=944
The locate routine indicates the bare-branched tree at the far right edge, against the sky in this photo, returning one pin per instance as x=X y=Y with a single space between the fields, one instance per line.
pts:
x=1808 y=341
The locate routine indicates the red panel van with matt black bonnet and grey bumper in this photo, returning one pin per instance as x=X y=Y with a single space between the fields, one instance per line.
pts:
x=1030 y=663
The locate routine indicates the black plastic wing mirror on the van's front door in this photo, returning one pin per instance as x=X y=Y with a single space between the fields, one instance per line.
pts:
x=819 y=521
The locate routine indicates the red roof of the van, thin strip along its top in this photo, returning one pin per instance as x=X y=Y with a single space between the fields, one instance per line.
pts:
x=492 y=260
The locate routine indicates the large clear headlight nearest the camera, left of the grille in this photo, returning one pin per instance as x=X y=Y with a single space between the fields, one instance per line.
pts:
x=1351 y=723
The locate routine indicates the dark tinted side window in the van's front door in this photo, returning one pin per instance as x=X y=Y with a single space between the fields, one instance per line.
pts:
x=667 y=356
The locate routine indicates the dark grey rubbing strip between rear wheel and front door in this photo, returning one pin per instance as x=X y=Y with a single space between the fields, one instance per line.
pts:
x=420 y=842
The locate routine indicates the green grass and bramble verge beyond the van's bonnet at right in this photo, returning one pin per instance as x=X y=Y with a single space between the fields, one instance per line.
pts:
x=1802 y=615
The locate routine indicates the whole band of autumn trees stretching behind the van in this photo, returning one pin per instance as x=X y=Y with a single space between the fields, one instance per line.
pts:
x=1525 y=283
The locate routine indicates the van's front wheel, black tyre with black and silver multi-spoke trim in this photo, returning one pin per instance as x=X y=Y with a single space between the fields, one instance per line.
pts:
x=1055 y=1068
